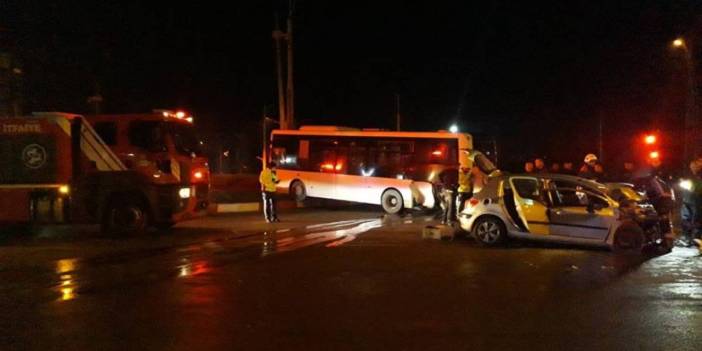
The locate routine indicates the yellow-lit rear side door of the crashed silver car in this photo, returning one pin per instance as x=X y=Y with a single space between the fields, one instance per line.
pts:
x=530 y=204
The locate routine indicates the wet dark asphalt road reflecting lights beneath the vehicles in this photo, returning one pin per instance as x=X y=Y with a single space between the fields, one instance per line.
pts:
x=344 y=279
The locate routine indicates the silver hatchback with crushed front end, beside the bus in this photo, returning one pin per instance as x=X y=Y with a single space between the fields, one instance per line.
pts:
x=562 y=208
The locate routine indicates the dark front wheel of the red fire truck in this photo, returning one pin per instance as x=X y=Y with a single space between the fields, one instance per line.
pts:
x=125 y=217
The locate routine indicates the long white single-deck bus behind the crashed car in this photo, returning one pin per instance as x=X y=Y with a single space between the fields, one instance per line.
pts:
x=397 y=170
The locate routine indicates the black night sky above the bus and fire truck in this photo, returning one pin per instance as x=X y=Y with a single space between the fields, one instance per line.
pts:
x=538 y=75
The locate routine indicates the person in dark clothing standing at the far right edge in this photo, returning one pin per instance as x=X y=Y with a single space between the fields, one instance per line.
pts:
x=691 y=210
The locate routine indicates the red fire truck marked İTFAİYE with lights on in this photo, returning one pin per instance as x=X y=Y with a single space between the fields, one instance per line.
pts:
x=125 y=172
